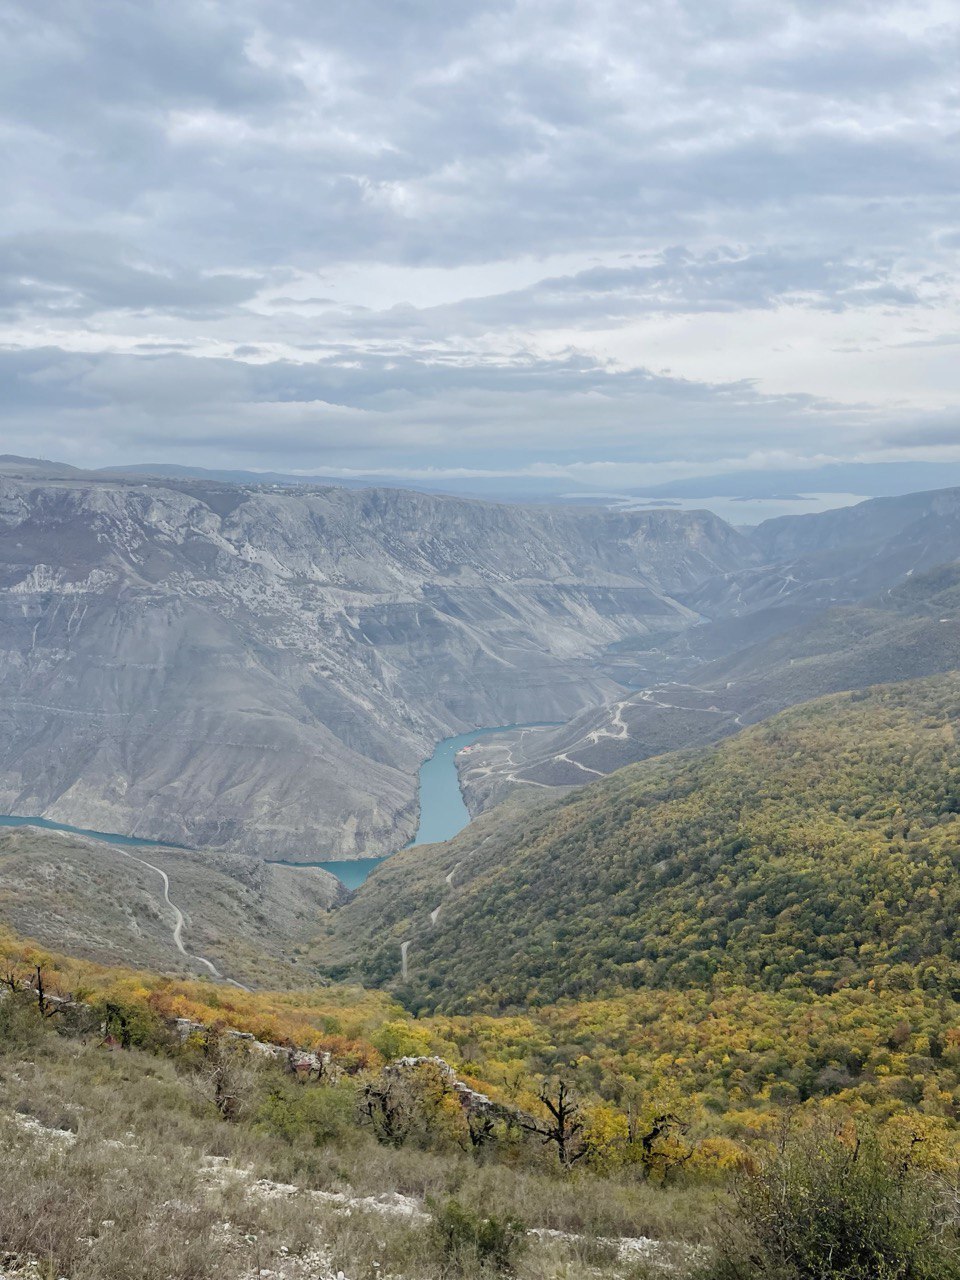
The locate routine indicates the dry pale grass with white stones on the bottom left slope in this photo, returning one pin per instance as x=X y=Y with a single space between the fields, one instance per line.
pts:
x=116 y=1168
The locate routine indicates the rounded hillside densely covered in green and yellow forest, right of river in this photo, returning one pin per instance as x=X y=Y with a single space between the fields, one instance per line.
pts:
x=816 y=852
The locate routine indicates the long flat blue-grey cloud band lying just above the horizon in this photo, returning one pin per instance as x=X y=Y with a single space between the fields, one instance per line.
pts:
x=340 y=410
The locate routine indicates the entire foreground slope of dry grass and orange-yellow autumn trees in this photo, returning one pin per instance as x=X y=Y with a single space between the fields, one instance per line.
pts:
x=136 y=1149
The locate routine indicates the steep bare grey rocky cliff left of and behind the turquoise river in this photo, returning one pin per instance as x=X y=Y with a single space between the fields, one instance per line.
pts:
x=266 y=670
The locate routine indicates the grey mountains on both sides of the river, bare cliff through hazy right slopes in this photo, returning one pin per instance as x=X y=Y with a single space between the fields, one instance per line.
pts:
x=258 y=669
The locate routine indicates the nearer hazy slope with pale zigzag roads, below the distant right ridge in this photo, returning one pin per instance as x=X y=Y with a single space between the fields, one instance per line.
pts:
x=908 y=632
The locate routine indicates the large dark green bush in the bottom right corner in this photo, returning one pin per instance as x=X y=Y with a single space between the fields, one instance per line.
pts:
x=829 y=1206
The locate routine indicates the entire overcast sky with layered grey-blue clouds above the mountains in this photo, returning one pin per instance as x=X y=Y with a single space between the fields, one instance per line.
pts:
x=618 y=241
